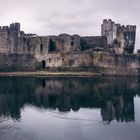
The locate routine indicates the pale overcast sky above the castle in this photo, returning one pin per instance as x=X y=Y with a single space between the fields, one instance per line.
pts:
x=83 y=17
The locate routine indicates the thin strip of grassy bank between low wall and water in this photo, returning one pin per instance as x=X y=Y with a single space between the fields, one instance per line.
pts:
x=51 y=74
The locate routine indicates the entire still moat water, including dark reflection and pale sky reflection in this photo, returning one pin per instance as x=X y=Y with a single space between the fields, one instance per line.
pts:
x=100 y=108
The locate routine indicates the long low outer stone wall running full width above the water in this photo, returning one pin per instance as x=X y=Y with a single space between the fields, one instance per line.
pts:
x=102 y=63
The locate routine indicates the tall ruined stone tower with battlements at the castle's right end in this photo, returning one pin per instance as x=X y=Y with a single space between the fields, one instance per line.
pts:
x=120 y=37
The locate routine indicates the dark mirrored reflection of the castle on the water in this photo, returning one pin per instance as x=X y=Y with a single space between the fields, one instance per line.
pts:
x=113 y=96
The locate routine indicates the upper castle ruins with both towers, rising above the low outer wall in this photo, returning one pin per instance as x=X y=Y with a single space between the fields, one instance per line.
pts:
x=114 y=39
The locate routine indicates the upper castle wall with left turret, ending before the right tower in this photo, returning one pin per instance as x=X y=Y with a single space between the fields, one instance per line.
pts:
x=12 y=40
